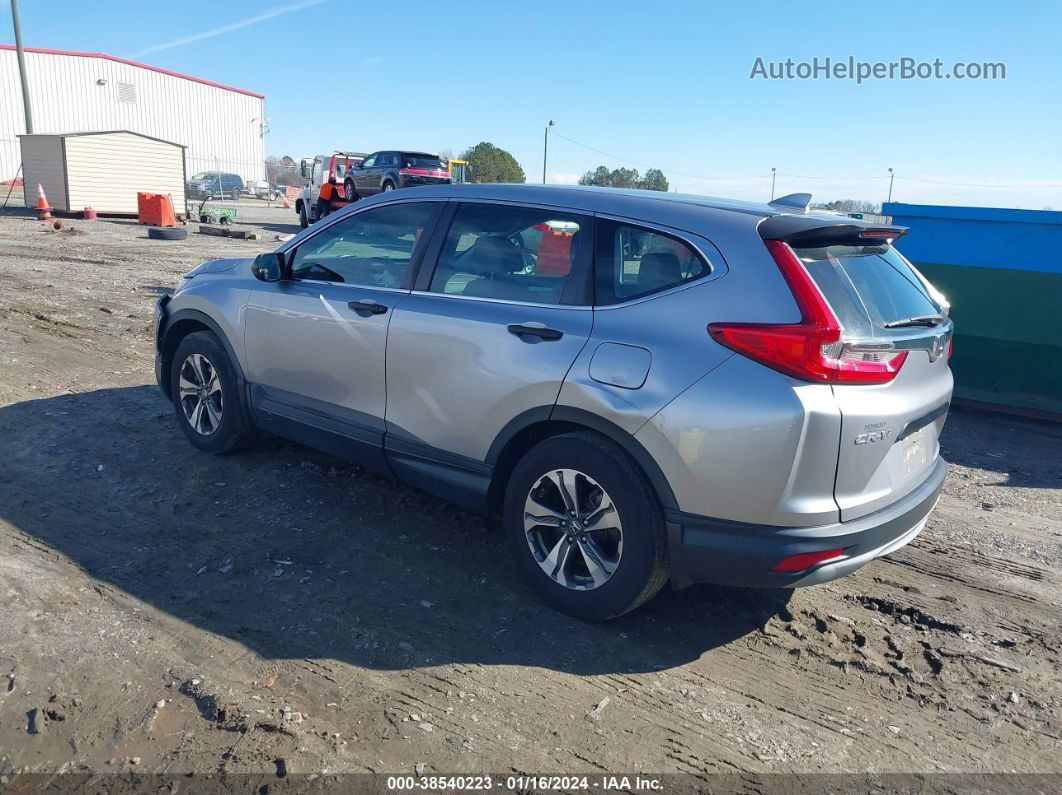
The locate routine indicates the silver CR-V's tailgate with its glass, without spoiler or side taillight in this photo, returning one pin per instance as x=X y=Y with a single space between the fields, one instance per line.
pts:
x=890 y=430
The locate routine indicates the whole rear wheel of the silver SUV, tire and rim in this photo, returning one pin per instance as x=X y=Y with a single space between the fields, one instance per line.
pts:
x=585 y=528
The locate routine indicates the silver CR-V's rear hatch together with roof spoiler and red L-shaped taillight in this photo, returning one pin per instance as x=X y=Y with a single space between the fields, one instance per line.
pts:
x=873 y=330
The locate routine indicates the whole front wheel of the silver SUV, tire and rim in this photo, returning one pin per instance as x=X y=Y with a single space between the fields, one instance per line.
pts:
x=208 y=401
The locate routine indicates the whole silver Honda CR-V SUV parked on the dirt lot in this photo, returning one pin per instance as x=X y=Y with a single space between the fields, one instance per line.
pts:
x=645 y=388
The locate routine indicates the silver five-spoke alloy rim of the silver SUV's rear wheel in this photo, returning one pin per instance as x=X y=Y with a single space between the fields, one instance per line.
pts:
x=574 y=530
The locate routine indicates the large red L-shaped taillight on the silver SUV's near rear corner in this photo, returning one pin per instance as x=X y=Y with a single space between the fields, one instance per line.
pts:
x=812 y=350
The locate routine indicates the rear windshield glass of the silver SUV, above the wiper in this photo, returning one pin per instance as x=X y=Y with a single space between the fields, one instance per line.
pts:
x=868 y=287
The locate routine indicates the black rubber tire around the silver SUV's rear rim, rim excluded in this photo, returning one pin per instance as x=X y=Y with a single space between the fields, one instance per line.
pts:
x=643 y=567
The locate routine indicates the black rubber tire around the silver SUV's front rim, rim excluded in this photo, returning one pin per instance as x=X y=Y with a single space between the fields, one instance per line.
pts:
x=235 y=429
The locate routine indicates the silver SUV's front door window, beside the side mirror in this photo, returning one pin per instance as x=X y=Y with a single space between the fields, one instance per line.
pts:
x=370 y=249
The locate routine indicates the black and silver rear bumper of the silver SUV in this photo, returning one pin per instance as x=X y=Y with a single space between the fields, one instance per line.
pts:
x=706 y=550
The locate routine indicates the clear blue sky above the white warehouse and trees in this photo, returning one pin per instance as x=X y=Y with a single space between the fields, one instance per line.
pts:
x=660 y=83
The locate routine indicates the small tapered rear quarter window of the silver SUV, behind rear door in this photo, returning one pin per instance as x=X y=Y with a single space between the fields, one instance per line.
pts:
x=633 y=262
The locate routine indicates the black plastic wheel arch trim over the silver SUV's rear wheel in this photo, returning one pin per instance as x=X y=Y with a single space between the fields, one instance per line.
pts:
x=537 y=425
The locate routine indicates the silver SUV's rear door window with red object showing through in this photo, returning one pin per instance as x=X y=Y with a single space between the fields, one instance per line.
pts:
x=520 y=254
